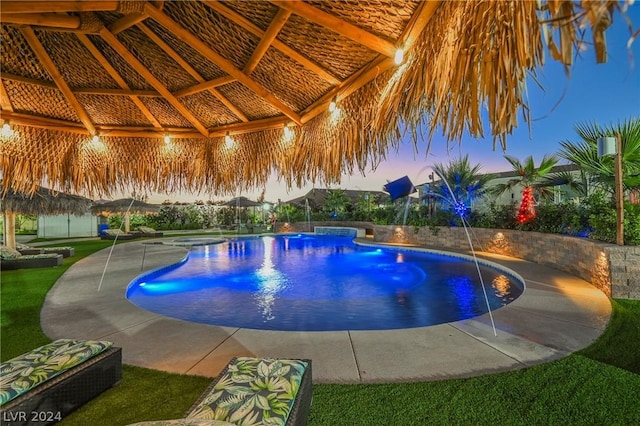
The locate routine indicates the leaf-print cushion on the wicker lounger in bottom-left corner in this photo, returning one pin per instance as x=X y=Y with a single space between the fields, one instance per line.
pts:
x=20 y=374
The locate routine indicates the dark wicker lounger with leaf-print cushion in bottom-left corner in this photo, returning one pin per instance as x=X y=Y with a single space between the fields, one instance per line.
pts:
x=44 y=385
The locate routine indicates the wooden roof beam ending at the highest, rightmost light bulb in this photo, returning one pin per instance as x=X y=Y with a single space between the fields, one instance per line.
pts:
x=339 y=26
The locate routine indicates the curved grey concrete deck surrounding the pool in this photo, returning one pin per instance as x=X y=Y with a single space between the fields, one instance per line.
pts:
x=557 y=314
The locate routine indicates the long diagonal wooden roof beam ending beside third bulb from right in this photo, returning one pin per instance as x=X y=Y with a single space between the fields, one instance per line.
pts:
x=182 y=34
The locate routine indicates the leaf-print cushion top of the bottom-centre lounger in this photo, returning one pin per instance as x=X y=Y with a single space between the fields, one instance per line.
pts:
x=253 y=391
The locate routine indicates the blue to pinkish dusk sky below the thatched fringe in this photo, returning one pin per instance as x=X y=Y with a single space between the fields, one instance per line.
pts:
x=606 y=93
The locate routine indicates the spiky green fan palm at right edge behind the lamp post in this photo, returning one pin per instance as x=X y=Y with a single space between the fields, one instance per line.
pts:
x=600 y=170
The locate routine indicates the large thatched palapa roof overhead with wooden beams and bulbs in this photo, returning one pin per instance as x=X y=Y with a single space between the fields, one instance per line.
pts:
x=263 y=74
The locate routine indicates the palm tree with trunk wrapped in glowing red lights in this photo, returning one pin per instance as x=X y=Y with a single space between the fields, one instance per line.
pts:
x=531 y=178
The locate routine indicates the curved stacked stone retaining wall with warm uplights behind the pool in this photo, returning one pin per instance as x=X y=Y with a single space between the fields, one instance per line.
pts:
x=613 y=269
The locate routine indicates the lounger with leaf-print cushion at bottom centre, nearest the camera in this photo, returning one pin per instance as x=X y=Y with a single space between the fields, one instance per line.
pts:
x=284 y=385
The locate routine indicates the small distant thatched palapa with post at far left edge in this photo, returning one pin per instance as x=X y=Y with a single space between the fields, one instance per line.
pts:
x=42 y=201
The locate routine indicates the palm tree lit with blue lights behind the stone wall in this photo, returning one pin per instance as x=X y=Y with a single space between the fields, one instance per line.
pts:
x=464 y=180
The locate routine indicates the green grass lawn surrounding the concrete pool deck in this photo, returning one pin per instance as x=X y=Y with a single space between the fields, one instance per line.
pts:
x=599 y=385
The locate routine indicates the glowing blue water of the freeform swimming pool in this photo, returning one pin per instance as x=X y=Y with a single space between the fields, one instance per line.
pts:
x=319 y=283
